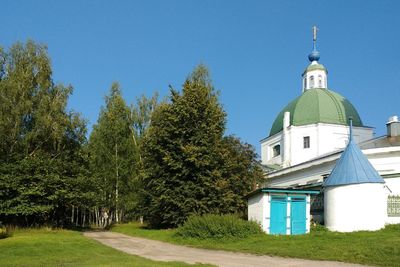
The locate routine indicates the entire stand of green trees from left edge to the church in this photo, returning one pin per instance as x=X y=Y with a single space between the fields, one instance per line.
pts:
x=166 y=161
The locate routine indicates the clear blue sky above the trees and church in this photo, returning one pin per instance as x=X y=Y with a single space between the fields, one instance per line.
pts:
x=255 y=50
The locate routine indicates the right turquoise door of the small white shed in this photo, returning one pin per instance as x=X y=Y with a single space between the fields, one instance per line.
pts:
x=298 y=215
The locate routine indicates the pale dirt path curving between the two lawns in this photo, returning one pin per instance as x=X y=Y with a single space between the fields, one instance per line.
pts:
x=161 y=251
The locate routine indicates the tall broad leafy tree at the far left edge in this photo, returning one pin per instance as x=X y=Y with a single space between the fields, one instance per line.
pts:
x=40 y=154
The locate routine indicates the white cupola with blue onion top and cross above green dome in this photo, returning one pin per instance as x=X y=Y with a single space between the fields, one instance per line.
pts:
x=315 y=75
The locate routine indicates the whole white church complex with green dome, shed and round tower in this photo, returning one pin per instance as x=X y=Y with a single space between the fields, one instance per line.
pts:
x=305 y=143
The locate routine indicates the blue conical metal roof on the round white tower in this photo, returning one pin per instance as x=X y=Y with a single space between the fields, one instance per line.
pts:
x=353 y=167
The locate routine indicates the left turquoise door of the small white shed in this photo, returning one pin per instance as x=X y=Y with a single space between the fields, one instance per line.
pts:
x=278 y=215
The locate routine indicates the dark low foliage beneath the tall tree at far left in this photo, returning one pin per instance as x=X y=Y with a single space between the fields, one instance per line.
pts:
x=40 y=190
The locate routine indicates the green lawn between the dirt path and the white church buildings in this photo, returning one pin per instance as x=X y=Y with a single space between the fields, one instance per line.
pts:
x=372 y=248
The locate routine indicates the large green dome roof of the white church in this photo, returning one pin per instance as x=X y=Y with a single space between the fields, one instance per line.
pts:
x=317 y=105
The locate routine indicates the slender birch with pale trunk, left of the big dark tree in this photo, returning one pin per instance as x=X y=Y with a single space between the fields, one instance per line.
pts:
x=113 y=154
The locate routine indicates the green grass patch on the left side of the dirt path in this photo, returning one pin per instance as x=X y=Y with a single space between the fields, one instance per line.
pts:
x=45 y=247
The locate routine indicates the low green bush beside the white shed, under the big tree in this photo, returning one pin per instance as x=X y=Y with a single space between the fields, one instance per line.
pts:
x=217 y=226
